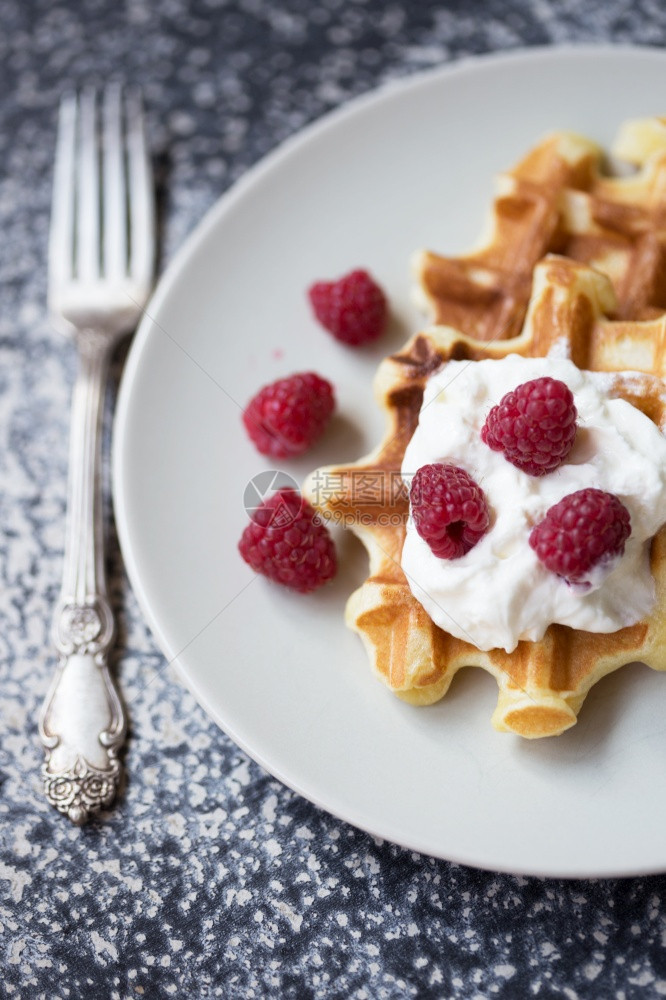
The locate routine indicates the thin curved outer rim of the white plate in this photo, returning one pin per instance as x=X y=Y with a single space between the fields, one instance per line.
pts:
x=211 y=219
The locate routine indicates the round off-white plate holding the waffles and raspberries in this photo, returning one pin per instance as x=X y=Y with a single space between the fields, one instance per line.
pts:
x=408 y=167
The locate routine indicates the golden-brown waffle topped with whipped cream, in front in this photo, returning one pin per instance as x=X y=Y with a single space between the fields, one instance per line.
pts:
x=541 y=684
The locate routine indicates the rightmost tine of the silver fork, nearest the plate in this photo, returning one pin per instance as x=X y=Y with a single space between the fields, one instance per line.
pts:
x=141 y=207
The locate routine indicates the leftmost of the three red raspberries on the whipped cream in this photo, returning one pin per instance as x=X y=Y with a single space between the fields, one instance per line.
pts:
x=449 y=509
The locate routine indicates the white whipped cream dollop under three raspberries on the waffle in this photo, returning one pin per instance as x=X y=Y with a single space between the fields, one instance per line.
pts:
x=499 y=592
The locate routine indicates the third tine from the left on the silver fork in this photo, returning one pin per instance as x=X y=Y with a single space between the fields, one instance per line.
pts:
x=114 y=205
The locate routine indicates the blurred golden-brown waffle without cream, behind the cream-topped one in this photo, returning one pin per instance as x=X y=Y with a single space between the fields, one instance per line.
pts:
x=557 y=200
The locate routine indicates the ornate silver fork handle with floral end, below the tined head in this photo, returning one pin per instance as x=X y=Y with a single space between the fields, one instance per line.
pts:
x=82 y=724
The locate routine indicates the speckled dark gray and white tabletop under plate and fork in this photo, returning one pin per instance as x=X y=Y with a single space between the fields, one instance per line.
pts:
x=209 y=878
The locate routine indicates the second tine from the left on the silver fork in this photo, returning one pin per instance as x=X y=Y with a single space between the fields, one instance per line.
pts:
x=88 y=205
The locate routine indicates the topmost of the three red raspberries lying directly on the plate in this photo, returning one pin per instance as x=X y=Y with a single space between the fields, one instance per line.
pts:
x=353 y=309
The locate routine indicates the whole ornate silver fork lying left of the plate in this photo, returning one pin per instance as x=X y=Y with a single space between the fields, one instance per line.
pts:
x=101 y=260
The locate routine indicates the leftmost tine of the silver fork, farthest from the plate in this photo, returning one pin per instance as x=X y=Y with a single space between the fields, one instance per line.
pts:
x=61 y=229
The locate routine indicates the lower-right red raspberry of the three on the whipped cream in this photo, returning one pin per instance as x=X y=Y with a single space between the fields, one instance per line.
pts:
x=582 y=530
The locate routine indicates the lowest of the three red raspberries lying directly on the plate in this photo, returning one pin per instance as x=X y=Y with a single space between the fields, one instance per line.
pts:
x=287 y=542
